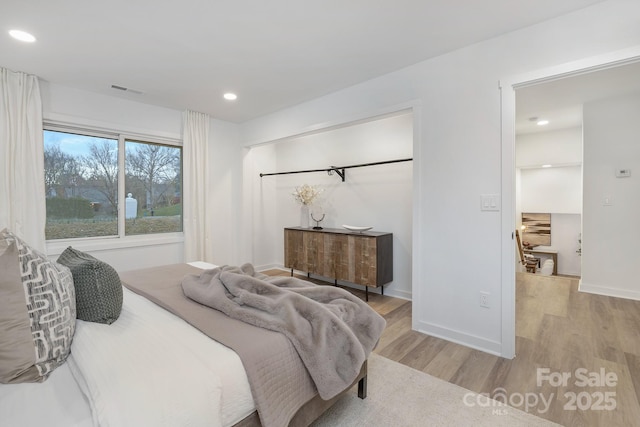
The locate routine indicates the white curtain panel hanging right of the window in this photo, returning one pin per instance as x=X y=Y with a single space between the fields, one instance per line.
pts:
x=197 y=215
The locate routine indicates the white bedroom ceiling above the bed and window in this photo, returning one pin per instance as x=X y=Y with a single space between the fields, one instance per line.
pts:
x=273 y=54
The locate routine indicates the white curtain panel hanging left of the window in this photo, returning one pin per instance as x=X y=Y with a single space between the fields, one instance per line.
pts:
x=22 y=191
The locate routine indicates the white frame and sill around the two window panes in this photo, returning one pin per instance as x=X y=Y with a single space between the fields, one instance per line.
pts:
x=120 y=240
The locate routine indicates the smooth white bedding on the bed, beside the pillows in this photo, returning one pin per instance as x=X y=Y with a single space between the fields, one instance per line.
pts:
x=148 y=368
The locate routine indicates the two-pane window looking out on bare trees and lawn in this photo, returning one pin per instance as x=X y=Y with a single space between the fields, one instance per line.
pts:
x=88 y=175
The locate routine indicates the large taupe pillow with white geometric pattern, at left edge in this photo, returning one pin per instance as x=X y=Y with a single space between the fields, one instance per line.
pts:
x=37 y=312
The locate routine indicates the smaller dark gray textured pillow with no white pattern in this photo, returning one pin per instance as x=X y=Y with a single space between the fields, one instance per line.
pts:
x=98 y=287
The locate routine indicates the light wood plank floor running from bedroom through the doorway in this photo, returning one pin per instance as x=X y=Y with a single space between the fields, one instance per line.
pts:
x=557 y=328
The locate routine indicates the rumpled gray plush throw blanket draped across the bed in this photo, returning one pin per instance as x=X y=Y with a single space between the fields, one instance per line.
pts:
x=332 y=330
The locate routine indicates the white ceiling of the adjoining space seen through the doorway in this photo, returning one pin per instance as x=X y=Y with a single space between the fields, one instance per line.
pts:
x=560 y=101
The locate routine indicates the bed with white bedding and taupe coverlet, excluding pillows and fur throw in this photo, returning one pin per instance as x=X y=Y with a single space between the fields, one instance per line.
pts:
x=152 y=367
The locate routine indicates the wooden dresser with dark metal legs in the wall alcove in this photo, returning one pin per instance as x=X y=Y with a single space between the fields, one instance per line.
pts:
x=361 y=258
